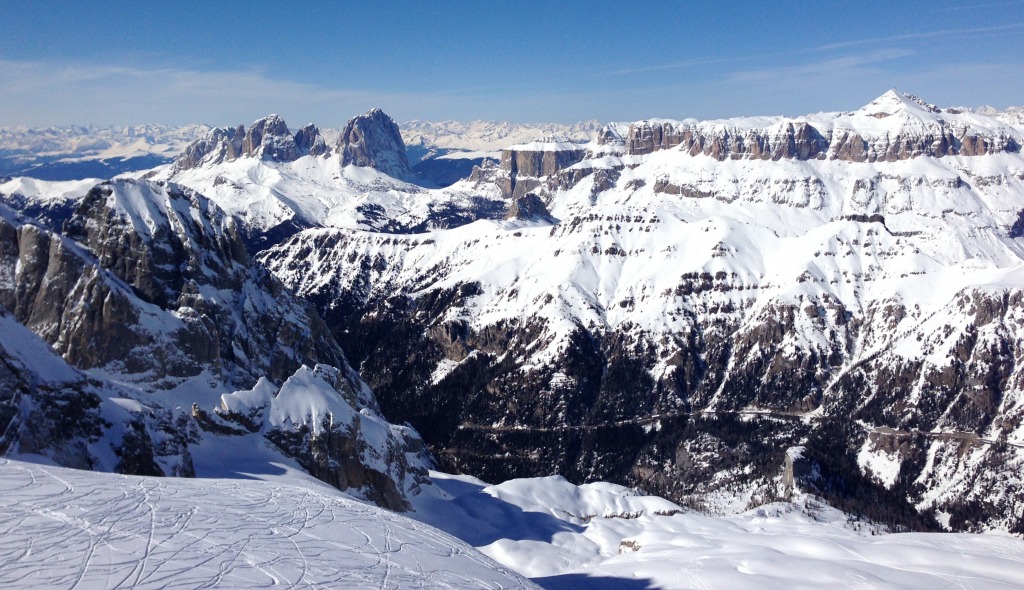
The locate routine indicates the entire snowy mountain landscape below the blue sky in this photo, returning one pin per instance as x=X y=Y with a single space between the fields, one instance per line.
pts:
x=724 y=353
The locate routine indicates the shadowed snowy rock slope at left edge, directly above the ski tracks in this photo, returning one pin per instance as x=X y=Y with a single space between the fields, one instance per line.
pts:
x=51 y=409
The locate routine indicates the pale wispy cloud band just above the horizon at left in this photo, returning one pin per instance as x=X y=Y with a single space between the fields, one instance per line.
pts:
x=48 y=94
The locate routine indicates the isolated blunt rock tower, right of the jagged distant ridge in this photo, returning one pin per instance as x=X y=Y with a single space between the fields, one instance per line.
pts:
x=373 y=141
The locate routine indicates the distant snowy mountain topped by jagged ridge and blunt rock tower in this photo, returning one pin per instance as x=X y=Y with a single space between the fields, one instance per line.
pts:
x=364 y=182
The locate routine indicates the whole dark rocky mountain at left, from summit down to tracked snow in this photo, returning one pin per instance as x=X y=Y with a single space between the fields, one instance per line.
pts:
x=189 y=359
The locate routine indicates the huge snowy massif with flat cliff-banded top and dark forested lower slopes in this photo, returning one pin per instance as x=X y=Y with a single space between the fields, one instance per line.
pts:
x=700 y=297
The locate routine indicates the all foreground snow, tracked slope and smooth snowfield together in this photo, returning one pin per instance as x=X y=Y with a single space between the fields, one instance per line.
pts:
x=66 y=528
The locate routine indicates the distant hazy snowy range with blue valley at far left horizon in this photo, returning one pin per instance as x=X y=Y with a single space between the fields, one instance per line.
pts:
x=77 y=152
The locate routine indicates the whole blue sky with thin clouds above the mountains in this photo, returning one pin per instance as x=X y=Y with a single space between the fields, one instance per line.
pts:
x=226 y=63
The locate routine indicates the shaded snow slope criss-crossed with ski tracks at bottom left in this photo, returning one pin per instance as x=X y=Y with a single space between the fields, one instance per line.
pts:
x=80 y=530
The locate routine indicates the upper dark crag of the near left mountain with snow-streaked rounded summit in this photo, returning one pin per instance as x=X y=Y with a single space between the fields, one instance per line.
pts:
x=163 y=287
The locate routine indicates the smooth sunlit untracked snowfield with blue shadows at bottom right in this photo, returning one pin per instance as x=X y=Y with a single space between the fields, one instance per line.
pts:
x=606 y=536
